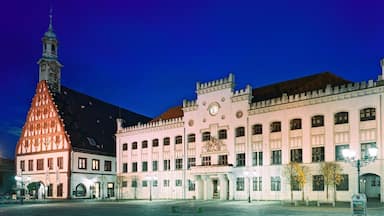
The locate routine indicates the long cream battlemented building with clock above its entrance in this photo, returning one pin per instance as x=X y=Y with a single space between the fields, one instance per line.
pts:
x=236 y=144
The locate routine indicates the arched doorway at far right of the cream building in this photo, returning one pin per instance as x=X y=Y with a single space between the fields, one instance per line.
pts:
x=370 y=185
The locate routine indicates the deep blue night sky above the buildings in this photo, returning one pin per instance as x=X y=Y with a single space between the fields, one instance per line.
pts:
x=147 y=56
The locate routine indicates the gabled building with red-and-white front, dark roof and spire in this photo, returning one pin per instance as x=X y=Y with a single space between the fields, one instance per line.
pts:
x=67 y=145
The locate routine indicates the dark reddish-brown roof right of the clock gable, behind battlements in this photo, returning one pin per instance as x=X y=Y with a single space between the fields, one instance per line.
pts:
x=297 y=86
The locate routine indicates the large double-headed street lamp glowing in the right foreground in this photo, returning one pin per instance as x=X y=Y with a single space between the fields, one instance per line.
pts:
x=350 y=156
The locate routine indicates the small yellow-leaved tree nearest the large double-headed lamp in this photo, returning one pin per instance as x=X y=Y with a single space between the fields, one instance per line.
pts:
x=332 y=176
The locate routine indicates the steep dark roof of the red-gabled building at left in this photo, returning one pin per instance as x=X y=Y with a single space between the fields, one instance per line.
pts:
x=90 y=122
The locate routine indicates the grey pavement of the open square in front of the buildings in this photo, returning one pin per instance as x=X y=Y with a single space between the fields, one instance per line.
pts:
x=173 y=208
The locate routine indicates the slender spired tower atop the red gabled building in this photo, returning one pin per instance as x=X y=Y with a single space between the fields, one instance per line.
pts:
x=49 y=66
